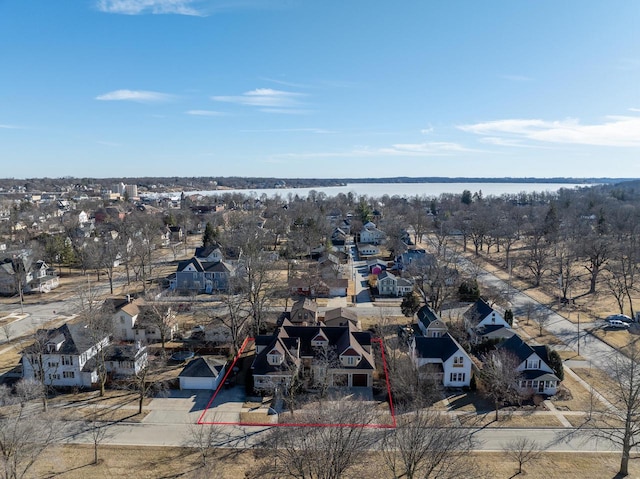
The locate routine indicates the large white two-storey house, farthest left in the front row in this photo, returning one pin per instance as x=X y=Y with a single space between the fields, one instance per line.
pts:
x=63 y=357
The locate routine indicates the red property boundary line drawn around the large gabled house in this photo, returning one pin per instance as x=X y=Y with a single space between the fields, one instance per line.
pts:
x=373 y=426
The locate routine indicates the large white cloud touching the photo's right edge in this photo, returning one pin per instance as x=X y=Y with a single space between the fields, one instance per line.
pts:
x=618 y=131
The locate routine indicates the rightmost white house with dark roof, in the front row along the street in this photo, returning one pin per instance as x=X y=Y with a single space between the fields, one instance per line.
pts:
x=537 y=376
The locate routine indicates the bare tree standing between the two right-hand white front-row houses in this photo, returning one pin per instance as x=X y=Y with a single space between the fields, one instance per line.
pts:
x=499 y=378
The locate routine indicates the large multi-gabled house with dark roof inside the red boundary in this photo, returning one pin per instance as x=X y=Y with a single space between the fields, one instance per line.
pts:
x=318 y=355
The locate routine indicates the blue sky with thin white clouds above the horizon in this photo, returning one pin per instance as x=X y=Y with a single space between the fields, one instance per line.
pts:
x=302 y=88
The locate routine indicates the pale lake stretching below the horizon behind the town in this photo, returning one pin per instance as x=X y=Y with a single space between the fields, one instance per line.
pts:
x=404 y=189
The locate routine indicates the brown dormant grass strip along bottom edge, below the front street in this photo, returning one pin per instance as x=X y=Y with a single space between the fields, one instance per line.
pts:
x=71 y=462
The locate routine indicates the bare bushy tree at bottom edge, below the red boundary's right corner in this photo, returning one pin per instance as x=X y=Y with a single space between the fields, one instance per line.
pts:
x=425 y=445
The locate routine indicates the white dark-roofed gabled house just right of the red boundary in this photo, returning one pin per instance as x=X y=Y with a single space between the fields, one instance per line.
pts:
x=444 y=355
